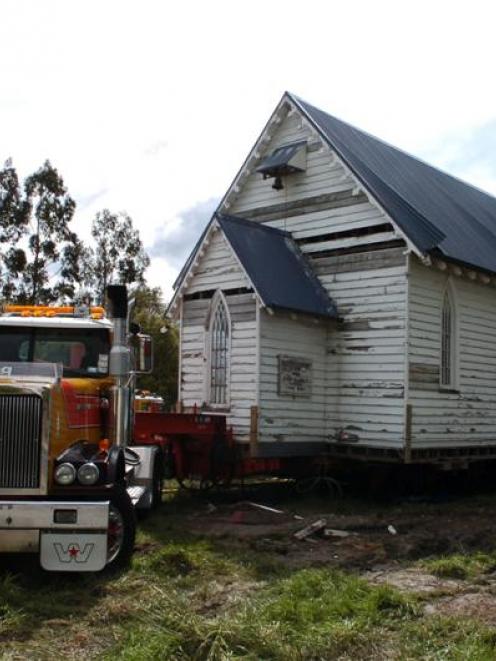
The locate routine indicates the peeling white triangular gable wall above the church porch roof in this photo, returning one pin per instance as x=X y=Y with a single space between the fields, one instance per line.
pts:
x=324 y=207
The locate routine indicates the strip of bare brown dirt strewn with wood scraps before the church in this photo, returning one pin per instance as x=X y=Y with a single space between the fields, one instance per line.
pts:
x=388 y=536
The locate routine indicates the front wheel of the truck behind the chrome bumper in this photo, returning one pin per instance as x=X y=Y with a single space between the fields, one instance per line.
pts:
x=121 y=530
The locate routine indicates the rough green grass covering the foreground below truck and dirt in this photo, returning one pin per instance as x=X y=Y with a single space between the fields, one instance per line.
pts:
x=188 y=598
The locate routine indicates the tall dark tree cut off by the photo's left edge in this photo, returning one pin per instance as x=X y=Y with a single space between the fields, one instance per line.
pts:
x=14 y=215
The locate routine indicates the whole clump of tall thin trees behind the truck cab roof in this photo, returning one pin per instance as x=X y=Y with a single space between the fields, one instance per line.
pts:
x=42 y=260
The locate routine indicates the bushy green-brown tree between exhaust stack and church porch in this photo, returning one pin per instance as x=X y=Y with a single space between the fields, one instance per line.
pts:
x=150 y=313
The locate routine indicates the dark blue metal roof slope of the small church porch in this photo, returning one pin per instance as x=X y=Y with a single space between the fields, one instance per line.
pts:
x=276 y=267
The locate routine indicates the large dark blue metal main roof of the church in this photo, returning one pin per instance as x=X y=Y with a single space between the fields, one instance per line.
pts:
x=436 y=211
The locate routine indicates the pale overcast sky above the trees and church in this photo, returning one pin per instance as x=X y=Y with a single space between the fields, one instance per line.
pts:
x=151 y=107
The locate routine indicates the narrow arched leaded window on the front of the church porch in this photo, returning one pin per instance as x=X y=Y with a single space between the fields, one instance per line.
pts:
x=219 y=351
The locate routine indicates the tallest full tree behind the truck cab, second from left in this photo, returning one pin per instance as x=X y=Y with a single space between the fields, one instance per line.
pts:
x=47 y=210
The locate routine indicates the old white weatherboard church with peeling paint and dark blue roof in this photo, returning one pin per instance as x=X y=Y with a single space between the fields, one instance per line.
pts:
x=342 y=298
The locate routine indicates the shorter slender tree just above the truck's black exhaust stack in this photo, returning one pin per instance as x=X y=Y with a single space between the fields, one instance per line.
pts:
x=118 y=255
